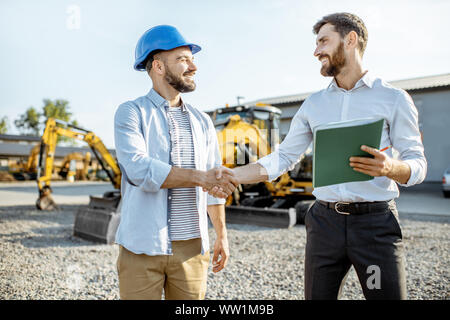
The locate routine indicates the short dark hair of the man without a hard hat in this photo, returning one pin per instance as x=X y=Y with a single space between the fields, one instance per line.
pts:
x=343 y=23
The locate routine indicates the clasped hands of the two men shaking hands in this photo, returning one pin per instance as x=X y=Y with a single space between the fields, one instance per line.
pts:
x=219 y=182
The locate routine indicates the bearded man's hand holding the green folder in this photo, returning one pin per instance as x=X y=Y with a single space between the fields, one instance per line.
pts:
x=380 y=165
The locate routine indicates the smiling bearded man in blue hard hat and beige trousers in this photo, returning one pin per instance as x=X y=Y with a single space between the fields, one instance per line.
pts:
x=167 y=151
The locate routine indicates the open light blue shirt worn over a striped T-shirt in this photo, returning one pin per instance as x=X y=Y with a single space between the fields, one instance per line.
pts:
x=142 y=140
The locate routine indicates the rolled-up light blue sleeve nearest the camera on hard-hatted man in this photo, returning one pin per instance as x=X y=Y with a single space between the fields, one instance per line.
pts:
x=141 y=170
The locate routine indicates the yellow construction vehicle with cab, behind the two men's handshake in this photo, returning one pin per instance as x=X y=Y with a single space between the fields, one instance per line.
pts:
x=245 y=134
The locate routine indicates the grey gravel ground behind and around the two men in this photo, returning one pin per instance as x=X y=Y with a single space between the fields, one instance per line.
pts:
x=40 y=259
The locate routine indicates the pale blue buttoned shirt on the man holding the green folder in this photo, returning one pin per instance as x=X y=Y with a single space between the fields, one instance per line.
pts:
x=370 y=97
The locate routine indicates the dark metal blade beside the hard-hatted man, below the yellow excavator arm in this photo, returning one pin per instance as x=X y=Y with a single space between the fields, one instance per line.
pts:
x=98 y=221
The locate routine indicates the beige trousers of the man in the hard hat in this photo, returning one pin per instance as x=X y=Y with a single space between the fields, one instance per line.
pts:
x=181 y=275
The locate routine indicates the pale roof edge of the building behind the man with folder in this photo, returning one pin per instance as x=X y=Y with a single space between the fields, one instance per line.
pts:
x=420 y=83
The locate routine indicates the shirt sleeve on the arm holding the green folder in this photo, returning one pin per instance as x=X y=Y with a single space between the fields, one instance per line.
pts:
x=406 y=138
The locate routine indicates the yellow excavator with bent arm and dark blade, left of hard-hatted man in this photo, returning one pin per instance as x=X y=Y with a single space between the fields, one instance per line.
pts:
x=99 y=221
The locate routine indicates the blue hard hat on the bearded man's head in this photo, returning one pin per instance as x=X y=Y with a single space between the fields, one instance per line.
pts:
x=162 y=37
